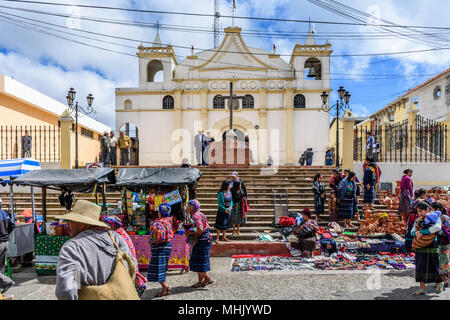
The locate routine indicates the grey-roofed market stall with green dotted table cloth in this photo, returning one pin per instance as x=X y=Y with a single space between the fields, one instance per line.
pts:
x=54 y=233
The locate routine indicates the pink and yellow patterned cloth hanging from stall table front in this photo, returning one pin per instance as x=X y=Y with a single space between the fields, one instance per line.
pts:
x=179 y=258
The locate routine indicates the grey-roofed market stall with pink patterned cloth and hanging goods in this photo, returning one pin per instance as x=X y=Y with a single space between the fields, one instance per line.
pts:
x=143 y=190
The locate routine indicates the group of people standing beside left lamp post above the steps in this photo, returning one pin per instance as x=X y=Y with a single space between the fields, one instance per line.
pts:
x=108 y=146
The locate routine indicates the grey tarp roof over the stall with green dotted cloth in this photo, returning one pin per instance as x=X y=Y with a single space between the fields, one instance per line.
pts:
x=72 y=179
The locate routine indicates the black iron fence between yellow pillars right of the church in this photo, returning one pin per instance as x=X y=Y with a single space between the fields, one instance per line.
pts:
x=423 y=140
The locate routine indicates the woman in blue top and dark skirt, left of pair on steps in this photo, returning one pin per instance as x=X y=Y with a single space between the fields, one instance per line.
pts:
x=225 y=205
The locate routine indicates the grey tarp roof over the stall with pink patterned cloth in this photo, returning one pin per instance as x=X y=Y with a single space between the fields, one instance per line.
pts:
x=157 y=176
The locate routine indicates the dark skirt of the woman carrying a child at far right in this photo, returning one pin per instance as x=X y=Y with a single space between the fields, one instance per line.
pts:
x=427 y=264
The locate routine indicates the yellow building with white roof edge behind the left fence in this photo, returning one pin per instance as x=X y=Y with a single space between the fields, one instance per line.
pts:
x=23 y=108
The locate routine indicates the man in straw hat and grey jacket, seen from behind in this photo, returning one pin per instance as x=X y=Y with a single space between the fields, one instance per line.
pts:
x=88 y=258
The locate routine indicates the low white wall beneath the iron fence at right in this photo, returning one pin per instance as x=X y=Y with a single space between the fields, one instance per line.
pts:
x=431 y=174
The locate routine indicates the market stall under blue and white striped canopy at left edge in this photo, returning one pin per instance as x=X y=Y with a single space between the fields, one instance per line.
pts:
x=22 y=240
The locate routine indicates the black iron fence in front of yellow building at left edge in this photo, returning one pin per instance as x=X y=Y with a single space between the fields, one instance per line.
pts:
x=44 y=147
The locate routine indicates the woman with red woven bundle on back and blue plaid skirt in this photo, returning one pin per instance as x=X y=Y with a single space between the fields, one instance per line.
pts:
x=161 y=233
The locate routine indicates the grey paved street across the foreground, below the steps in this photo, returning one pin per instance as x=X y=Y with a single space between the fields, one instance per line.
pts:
x=265 y=285
